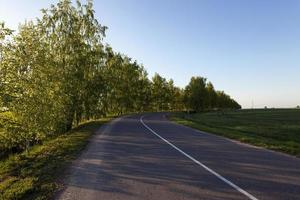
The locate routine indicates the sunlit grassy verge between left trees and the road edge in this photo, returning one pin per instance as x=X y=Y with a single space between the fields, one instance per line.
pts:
x=34 y=174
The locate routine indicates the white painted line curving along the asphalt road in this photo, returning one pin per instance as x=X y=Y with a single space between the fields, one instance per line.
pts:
x=201 y=164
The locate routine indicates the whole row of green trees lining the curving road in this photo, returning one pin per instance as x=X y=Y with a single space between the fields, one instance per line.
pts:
x=56 y=72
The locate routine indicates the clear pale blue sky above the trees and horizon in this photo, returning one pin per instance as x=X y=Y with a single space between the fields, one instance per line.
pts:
x=248 y=48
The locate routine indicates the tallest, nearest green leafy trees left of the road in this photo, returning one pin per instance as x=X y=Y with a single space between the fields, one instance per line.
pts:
x=49 y=72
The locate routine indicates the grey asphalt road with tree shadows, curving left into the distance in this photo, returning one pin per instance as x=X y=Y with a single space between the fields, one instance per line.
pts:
x=148 y=157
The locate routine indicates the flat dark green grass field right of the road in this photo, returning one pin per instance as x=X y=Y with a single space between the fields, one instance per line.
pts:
x=276 y=129
